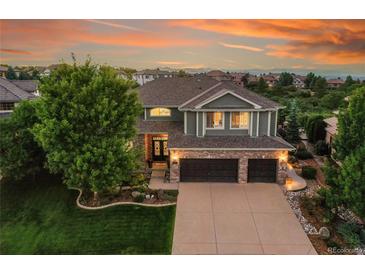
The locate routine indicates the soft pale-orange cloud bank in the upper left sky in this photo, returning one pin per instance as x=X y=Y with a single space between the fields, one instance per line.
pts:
x=45 y=38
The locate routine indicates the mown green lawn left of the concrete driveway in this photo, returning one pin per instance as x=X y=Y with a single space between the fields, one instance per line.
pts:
x=42 y=218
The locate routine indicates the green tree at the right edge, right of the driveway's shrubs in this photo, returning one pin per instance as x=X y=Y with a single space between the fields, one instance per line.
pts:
x=351 y=125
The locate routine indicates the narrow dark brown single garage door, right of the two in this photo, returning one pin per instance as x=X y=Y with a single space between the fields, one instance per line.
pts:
x=262 y=170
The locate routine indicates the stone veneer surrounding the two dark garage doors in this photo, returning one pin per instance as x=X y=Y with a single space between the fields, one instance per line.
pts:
x=241 y=155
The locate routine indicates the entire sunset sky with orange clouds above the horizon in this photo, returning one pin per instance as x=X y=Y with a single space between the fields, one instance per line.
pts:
x=302 y=45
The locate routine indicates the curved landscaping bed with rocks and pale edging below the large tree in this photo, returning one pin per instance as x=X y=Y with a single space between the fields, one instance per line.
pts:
x=141 y=195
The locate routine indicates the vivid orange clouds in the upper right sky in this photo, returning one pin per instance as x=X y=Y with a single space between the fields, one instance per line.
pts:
x=324 y=41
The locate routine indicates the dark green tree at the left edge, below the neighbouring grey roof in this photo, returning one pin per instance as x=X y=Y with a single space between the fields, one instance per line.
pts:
x=21 y=156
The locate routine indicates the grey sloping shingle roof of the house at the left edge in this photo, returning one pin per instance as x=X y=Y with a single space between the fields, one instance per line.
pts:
x=9 y=92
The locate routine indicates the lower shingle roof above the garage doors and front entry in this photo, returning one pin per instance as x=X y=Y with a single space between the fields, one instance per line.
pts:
x=177 y=139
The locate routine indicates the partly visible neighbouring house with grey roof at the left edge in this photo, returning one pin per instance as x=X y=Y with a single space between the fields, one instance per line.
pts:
x=11 y=93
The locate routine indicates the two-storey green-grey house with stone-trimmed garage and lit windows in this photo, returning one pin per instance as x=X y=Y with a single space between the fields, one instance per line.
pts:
x=211 y=131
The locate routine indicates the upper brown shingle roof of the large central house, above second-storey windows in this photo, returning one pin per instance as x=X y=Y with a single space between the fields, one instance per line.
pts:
x=188 y=92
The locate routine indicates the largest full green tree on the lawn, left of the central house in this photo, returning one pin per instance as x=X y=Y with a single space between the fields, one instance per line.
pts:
x=88 y=118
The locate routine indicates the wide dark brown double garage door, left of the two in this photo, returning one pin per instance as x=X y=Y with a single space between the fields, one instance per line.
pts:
x=208 y=170
